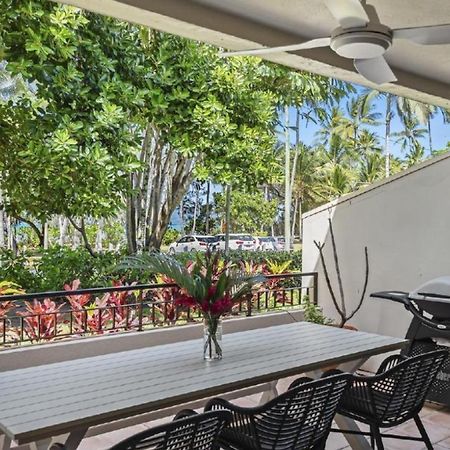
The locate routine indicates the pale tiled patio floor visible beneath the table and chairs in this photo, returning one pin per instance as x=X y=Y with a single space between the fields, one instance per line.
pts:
x=435 y=418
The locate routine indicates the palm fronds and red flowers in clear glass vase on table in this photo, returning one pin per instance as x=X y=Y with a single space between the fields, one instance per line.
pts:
x=209 y=284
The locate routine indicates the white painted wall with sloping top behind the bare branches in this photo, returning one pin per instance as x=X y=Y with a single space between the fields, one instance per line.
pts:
x=405 y=223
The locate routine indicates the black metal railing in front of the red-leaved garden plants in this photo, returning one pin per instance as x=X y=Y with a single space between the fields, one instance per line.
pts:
x=48 y=316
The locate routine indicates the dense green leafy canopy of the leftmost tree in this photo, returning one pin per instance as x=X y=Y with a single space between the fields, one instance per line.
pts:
x=70 y=155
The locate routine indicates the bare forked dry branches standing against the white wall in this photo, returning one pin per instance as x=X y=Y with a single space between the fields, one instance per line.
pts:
x=341 y=305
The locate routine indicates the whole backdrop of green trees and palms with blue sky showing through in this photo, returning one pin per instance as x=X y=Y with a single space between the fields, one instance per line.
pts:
x=109 y=130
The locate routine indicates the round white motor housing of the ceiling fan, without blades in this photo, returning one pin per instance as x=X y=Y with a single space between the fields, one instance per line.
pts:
x=360 y=43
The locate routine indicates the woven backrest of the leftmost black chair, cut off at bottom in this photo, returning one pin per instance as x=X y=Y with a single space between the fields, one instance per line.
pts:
x=197 y=432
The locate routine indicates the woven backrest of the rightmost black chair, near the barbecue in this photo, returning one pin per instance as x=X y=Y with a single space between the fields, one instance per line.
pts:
x=400 y=392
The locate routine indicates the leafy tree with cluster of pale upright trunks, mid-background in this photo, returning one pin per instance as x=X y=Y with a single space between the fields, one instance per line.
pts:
x=208 y=119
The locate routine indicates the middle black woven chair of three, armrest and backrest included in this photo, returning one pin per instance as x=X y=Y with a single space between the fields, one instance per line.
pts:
x=299 y=419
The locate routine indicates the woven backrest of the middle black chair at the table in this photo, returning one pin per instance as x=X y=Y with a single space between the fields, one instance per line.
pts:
x=300 y=418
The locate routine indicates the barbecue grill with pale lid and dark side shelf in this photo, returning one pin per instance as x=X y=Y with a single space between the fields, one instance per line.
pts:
x=430 y=327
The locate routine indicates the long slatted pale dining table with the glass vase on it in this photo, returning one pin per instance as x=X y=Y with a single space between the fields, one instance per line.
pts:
x=41 y=402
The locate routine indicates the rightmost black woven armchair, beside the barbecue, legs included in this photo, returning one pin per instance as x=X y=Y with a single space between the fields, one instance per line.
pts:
x=394 y=395
